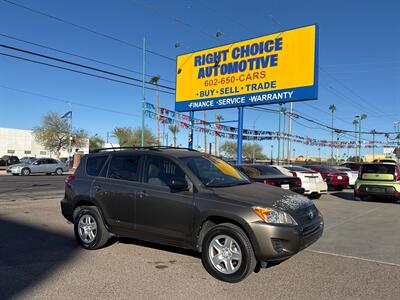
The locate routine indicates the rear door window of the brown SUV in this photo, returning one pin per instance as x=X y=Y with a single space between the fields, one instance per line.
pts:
x=124 y=167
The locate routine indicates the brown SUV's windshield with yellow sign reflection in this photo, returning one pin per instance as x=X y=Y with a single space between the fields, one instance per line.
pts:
x=214 y=172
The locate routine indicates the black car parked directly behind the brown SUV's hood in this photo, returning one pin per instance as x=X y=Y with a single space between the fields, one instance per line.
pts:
x=269 y=175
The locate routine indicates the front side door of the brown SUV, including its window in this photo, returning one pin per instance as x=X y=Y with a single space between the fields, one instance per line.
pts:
x=164 y=214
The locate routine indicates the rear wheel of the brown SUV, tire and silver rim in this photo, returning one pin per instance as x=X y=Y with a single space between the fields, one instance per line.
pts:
x=89 y=217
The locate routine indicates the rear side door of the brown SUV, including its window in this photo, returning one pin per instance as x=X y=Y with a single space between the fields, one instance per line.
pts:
x=116 y=191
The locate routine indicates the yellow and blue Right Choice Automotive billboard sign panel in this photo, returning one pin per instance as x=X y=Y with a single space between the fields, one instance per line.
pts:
x=276 y=68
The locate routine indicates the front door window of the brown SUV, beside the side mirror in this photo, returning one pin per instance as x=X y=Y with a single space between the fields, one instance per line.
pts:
x=160 y=171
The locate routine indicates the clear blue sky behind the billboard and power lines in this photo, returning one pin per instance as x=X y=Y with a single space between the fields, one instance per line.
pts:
x=359 y=58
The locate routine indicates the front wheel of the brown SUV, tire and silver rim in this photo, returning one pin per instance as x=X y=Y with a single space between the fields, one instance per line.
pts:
x=240 y=244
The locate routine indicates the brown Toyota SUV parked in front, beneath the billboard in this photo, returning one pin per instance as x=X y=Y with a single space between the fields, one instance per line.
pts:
x=190 y=200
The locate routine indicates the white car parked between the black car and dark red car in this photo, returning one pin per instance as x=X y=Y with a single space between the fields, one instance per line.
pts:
x=312 y=181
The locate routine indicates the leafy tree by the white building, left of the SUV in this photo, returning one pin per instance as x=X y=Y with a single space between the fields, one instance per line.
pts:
x=54 y=134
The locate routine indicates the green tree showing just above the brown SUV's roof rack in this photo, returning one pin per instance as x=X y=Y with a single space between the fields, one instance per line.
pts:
x=128 y=137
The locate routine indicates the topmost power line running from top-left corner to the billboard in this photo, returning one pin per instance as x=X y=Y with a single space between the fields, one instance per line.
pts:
x=87 y=29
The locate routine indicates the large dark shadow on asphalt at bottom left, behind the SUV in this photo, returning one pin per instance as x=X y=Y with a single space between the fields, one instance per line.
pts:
x=29 y=254
